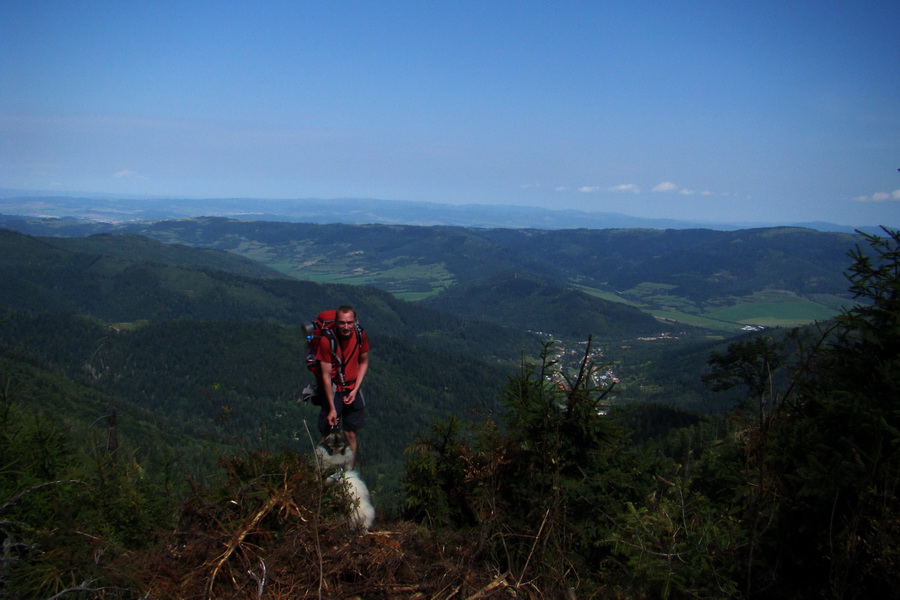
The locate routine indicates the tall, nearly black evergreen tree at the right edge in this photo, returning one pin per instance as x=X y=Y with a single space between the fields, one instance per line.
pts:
x=840 y=450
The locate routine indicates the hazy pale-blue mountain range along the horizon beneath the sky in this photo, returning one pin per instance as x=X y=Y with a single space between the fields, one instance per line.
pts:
x=350 y=211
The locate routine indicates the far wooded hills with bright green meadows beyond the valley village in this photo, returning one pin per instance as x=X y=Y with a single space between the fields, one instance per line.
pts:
x=714 y=279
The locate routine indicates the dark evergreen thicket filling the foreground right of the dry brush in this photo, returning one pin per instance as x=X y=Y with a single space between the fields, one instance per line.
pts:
x=792 y=495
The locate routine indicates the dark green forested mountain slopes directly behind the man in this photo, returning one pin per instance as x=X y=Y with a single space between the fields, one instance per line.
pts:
x=221 y=354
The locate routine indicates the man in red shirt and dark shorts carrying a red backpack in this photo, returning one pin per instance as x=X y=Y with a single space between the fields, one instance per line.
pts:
x=343 y=372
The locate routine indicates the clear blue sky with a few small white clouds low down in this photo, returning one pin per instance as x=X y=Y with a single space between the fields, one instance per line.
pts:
x=719 y=111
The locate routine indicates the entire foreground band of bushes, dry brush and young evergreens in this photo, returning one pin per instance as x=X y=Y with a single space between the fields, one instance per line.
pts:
x=791 y=495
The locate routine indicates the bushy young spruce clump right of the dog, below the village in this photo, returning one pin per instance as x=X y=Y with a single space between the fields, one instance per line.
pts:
x=543 y=485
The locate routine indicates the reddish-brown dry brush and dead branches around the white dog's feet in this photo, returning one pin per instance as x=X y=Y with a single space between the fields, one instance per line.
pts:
x=283 y=536
